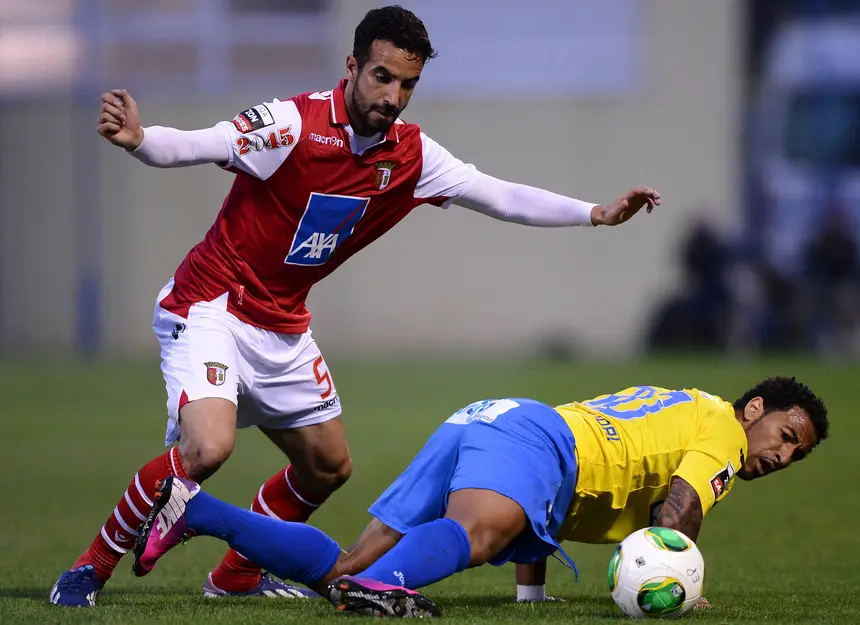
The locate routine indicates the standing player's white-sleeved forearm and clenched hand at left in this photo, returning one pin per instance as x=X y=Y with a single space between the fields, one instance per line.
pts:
x=158 y=146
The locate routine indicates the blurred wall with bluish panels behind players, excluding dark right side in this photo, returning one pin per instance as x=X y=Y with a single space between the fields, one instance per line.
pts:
x=586 y=98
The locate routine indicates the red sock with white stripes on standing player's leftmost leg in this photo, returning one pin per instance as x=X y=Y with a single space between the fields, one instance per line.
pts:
x=118 y=533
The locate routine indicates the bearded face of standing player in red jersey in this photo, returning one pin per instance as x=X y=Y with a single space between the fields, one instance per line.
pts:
x=376 y=95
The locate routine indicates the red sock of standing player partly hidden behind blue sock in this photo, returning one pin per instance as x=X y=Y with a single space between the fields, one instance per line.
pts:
x=279 y=498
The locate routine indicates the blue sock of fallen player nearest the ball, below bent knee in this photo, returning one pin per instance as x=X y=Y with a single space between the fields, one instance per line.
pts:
x=424 y=555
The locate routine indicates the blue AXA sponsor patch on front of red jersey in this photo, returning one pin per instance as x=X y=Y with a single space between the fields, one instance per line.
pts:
x=329 y=220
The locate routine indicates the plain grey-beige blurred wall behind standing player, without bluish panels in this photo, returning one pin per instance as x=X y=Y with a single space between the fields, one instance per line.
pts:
x=445 y=281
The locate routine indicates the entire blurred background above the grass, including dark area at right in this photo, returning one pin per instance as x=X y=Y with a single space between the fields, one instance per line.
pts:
x=743 y=114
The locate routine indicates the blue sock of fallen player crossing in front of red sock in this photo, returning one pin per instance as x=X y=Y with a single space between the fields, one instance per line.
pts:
x=293 y=551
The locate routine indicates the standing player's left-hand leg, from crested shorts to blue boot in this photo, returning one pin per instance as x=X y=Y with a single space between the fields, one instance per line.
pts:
x=198 y=355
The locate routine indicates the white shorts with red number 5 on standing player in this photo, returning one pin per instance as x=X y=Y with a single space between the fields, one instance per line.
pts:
x=276 y=380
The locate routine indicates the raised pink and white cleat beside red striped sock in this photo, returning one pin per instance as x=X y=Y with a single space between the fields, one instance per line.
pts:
x=166 y=526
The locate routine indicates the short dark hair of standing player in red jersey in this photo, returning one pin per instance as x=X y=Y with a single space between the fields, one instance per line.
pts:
x=395 y=24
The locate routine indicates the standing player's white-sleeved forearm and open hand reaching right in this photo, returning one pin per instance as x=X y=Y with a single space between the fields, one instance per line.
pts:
x=522 y=204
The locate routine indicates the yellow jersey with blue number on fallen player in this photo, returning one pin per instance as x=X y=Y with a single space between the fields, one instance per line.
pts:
x=630 y=444
